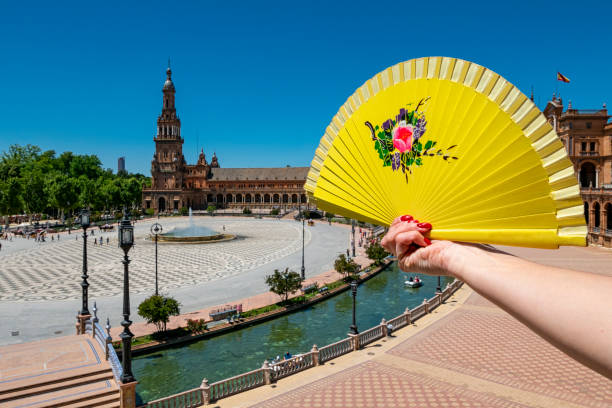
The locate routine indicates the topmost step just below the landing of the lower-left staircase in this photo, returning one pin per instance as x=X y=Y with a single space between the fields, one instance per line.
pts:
x=52 y=378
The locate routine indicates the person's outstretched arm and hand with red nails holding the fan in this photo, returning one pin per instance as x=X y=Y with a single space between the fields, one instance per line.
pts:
x=536 y=295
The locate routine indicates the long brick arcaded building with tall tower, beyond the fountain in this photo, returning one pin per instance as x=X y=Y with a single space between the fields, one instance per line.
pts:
x=176 y=184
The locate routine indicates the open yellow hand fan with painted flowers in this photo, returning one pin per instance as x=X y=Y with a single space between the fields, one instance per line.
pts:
x=454 y=144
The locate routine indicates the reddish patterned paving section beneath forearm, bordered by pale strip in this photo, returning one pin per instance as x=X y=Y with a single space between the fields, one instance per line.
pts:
x=488 y=345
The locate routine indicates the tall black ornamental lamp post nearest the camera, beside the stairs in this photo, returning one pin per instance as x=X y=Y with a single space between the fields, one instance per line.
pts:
x=126 y=241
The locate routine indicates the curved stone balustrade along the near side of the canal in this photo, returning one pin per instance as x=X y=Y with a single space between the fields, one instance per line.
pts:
x=269 y=373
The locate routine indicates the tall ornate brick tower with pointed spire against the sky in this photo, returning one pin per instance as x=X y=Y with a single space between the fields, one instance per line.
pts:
x=168 y=162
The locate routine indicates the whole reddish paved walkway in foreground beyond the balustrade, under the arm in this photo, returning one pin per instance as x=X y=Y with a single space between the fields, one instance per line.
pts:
x=467 y=353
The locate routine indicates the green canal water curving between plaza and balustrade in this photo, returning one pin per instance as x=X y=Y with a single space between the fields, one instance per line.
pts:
x=173 y=370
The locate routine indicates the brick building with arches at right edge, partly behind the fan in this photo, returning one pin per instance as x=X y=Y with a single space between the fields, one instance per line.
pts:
x=587 y=136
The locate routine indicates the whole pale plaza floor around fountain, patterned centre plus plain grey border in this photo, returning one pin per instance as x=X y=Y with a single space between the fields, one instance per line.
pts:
x=40 y=290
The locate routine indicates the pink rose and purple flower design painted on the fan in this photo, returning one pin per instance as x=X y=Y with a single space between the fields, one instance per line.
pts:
x=400 y=143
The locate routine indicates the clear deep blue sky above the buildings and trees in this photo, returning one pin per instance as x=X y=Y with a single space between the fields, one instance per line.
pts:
x=258 y=82
